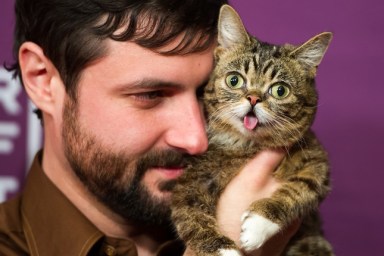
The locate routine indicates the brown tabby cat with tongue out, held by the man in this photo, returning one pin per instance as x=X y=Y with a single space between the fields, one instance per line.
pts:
x=259 y=96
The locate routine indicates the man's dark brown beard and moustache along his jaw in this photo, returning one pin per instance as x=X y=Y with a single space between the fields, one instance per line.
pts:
x=115 y=178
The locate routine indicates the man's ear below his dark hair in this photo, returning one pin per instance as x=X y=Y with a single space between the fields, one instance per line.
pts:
x=39 y=76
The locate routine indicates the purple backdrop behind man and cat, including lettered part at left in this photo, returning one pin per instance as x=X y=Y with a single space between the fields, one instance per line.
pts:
x=350 y=118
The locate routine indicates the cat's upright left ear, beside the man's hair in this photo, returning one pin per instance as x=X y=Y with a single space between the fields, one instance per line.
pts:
x=231 y=29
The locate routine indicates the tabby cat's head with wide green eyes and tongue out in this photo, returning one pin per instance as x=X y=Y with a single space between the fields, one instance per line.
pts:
x=258 y=91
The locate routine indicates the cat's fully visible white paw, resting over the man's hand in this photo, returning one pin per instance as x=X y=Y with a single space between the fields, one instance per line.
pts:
x=255 y=230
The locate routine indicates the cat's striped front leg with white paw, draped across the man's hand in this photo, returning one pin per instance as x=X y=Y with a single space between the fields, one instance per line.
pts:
x=266 y=217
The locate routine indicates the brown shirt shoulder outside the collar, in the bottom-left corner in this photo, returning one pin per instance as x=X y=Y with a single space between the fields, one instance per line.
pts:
x=12 y=239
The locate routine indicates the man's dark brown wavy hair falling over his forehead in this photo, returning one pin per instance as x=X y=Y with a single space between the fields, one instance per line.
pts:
x=71 y=32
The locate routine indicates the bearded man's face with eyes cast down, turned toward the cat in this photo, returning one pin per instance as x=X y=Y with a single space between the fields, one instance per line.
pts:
x=135 y=118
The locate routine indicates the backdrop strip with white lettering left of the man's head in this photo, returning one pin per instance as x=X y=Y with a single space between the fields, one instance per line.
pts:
x=20 y=130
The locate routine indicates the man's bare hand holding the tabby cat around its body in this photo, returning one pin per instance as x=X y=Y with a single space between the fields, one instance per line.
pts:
x=254 y=182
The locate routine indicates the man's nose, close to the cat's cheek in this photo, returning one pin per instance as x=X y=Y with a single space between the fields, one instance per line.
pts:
x=187 y=130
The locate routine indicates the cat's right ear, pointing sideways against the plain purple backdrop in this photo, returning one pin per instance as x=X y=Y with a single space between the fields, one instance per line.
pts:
x=312 y=52
